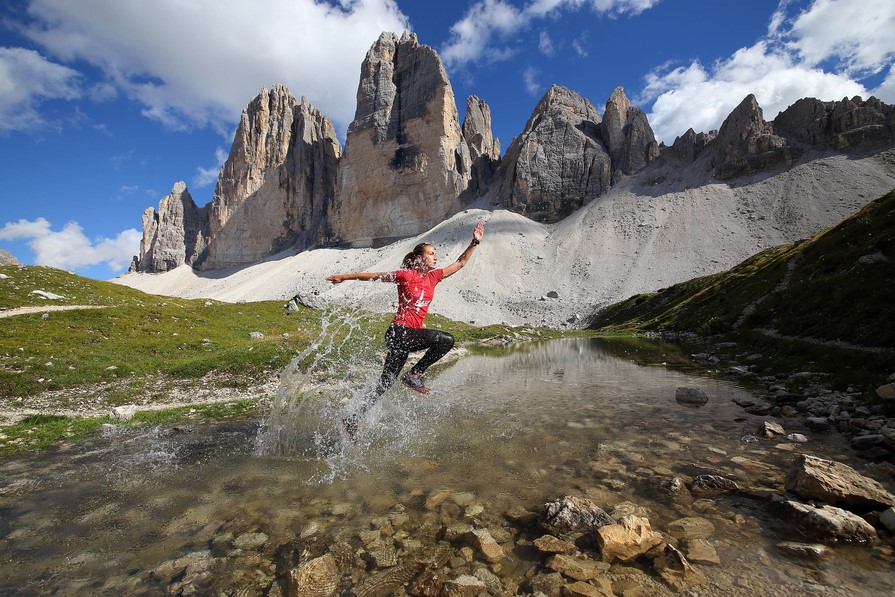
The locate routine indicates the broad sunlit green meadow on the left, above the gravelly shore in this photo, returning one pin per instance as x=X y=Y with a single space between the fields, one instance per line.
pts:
x=136 y=335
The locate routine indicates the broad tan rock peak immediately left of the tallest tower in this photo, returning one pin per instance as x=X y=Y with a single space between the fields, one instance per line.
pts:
x=277 y=185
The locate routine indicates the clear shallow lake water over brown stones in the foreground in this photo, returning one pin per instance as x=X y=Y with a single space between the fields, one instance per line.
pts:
x=515 y=430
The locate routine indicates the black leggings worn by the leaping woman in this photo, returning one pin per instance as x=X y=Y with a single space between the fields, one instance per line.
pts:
x=400 y=342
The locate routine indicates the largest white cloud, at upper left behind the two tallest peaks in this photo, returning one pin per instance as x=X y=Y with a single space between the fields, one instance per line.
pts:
x=198 y=63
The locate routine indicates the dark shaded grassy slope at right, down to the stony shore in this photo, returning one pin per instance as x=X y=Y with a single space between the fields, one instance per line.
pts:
x=822 y=304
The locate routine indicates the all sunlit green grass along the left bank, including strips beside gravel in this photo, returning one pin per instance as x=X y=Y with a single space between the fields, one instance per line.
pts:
x=145 y=346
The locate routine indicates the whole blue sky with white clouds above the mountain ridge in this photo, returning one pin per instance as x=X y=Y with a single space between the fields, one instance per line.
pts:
x=105 y=104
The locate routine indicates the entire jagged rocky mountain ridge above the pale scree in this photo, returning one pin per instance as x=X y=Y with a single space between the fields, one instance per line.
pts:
x=408 y=164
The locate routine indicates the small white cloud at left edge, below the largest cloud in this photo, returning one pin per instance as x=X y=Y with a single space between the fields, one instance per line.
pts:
x=27 y=79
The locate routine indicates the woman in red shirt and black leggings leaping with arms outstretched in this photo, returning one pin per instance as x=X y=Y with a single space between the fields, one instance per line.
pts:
x=416 y=282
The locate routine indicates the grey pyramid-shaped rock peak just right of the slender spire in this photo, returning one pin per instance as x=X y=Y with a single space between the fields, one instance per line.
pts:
x=558 y=163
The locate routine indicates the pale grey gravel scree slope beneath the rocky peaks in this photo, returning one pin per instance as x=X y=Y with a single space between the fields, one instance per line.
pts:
x=665 y=225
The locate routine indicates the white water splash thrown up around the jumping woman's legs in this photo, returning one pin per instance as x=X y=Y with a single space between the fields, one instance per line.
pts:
x=326 y=382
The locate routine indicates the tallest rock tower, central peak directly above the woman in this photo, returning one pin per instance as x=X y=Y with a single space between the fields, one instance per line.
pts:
x=406 y=162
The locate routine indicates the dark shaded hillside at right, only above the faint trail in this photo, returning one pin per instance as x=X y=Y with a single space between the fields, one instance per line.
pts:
x=822 y=288
